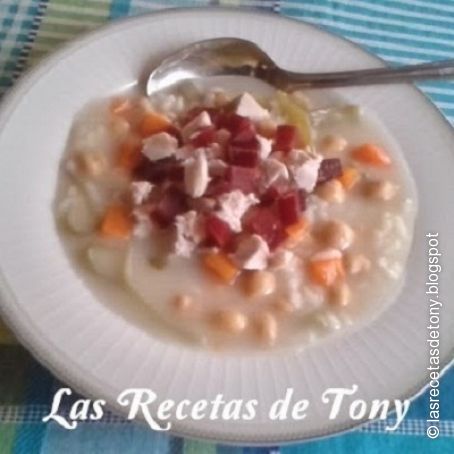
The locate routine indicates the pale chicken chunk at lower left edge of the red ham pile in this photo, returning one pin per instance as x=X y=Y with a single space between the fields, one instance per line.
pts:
x=188 y=233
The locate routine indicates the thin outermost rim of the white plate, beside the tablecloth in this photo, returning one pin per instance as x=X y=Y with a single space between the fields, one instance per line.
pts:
x=15 y=319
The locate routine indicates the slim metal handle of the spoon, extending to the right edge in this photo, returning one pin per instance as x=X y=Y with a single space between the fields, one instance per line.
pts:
x=435 y=70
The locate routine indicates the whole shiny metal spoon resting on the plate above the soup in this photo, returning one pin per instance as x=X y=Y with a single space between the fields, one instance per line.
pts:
x=232 y=56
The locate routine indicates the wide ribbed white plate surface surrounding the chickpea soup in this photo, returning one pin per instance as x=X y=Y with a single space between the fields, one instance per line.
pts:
x=101 y=351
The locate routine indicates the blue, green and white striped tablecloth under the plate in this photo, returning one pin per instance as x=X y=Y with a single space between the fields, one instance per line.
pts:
x=399 y=31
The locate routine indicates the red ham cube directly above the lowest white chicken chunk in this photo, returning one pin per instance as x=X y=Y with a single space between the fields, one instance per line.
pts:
x=264 y=221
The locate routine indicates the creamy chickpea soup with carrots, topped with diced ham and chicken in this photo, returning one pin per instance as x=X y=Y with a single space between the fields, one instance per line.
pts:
x=238 y=221
